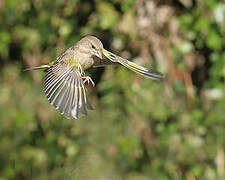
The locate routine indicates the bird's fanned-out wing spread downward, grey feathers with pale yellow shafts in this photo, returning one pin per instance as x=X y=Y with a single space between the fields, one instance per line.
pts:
x=65 y=90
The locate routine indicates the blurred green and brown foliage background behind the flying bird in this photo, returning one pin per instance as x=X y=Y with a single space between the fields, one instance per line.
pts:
x=140 y=129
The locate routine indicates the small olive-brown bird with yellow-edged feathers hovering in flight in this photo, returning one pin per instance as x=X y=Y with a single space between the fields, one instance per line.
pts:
x=65 y=79
